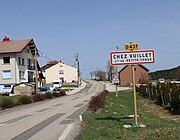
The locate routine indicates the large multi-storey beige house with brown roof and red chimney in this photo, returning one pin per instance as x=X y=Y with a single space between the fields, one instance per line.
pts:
x=17 y=59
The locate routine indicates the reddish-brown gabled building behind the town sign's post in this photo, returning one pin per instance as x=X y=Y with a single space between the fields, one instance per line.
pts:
x=141 y=75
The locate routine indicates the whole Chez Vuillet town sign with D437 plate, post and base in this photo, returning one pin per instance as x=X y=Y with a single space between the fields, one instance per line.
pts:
x=132 y=57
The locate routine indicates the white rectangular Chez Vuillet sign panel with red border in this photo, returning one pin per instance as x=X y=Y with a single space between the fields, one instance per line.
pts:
x=132 y=57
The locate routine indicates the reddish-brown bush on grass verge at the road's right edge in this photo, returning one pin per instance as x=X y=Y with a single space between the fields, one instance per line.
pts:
x=98 y=101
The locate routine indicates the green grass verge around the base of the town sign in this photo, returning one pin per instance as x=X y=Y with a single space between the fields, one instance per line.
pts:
x=107 y=124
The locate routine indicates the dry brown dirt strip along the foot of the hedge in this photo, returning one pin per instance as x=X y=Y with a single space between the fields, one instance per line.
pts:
x=152 y=107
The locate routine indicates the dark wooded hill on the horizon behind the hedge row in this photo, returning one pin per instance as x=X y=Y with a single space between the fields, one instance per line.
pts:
x=173 y=73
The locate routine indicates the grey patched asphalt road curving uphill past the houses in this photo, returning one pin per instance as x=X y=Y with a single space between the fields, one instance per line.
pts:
x=47 y=120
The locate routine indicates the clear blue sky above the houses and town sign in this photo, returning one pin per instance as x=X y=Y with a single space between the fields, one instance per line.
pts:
x=94 y=28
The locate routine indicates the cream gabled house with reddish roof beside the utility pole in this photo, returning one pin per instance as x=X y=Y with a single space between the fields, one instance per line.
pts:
x=57 y=70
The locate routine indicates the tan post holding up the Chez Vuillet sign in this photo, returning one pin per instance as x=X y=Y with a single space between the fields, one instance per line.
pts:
x=134 y=93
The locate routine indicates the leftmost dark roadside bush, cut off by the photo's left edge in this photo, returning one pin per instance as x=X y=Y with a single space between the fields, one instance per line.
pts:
x=7 y=103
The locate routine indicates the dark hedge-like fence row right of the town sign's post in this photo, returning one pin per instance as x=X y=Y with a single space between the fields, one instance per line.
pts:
x=167 y=95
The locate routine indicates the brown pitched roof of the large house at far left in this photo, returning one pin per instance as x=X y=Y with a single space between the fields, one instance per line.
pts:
x=17 y=46
